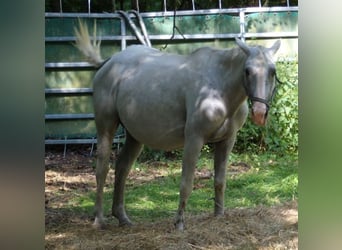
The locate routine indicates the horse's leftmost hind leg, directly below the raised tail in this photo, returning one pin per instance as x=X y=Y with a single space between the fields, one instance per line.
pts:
x=105 y=134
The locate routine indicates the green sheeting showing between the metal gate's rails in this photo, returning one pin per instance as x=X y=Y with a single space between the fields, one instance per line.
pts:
x=59 y=32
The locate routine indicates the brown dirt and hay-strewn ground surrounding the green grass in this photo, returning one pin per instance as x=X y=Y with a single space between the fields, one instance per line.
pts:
x=240 y=228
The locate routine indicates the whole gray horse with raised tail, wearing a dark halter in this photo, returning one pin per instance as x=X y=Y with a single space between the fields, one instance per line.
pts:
x=169 y=101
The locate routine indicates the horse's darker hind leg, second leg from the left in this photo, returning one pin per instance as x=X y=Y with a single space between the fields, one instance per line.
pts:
x=128 y=155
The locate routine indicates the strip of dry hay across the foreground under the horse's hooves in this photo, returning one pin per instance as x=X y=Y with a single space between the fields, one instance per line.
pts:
x=257 y=228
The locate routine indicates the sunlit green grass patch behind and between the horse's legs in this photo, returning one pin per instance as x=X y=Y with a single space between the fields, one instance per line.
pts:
x=152 y=190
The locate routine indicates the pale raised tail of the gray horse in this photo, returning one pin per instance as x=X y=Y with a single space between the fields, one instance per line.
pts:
x=91 y=49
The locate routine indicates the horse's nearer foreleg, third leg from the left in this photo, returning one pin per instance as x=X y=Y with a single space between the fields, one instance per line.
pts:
x=192 y=149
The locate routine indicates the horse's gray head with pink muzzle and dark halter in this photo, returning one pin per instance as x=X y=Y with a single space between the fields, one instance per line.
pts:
x=259 y=78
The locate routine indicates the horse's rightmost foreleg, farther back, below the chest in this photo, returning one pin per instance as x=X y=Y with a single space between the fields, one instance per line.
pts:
x=222 y=150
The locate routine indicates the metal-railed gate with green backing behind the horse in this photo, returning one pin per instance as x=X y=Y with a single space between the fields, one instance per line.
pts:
x=68 y=87
